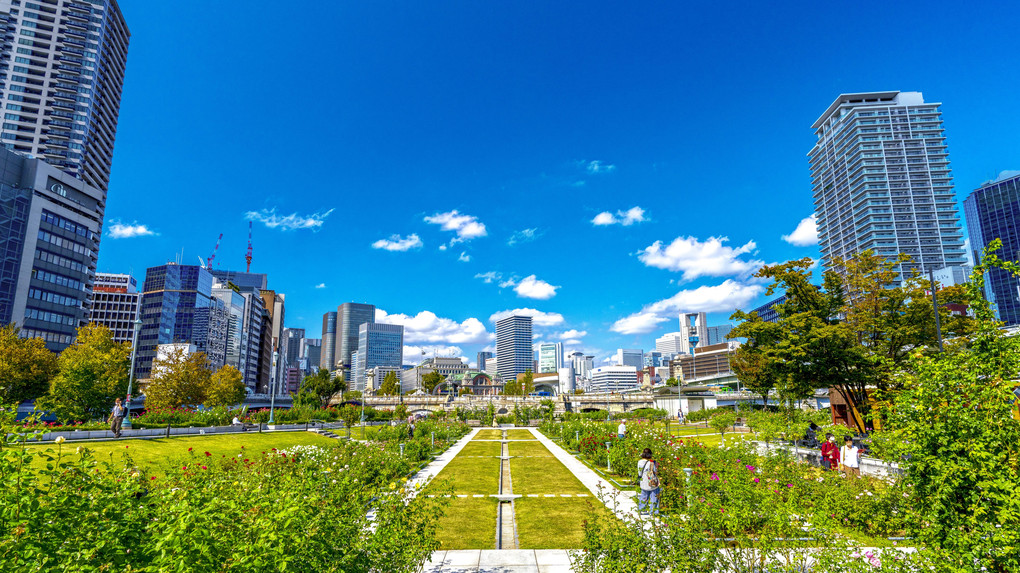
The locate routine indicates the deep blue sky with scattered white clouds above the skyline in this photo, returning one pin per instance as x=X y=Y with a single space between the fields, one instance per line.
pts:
x=448 y=162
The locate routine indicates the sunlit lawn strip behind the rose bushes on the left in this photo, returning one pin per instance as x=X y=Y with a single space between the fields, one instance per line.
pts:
x=155 y=454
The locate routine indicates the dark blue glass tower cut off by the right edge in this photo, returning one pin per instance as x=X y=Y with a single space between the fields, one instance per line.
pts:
x=994 y=213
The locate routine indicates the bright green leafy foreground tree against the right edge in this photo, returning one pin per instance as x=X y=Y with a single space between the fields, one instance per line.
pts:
x=959 y=439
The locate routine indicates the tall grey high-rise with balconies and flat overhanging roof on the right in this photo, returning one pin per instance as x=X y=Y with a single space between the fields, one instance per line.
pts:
x=881 y=174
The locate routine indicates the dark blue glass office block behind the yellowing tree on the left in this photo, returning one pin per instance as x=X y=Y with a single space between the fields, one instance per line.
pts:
x=178 y=306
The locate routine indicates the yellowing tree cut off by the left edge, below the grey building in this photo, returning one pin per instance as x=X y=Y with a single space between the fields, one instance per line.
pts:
x=27 y=367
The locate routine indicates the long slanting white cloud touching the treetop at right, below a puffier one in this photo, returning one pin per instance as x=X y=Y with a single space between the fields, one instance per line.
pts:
x=721 y=298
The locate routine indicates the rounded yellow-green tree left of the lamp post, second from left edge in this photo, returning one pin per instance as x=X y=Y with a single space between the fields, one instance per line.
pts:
x=93 y=373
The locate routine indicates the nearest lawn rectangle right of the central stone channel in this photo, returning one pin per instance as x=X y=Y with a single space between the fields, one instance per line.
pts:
x=552 y=524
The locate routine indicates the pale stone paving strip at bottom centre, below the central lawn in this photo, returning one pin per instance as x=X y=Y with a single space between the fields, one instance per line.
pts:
x=507 y=561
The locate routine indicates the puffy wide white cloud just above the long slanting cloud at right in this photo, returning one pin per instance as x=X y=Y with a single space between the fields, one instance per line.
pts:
x=694 y=258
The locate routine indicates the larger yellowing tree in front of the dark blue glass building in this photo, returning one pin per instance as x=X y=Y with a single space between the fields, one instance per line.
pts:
x=180 y=380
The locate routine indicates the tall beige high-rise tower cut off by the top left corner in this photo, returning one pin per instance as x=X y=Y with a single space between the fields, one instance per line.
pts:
x=61 y=83
